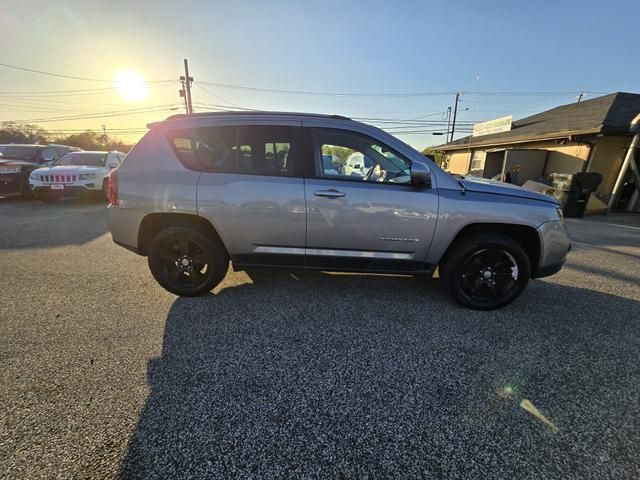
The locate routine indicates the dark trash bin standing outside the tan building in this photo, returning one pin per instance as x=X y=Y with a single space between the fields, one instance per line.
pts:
x=573 y=191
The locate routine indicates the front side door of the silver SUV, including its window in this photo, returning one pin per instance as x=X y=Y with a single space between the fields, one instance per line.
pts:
x=371 y=219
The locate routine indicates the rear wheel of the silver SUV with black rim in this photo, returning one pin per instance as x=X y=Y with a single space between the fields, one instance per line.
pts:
x=207 y=259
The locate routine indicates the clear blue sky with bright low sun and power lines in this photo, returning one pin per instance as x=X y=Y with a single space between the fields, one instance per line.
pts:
x=507 y=58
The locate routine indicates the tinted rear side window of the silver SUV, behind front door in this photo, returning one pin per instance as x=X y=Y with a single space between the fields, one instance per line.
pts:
x=248 y=150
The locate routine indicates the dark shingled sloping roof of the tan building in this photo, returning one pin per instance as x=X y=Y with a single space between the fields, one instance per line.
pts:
x=610 y=114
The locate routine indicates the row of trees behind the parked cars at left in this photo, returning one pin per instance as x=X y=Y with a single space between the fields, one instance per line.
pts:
x=12 y=132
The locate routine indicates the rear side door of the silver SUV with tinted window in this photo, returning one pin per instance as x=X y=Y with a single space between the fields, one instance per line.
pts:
x=252 y=191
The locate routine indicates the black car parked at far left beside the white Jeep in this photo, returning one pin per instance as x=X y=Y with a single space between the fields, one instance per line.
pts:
x=18 y=161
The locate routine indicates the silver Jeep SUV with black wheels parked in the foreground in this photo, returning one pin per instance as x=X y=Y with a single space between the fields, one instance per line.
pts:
x=257 y=189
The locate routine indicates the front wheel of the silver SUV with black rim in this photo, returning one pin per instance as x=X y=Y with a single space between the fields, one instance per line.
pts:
x=479 y=271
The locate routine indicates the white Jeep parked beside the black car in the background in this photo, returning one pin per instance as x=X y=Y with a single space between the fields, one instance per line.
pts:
x=75 y=173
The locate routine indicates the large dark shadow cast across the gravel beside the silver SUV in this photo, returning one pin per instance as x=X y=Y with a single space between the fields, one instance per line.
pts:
x=349 y=376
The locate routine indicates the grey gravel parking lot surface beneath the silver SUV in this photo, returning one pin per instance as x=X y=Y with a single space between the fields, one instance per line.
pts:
x=314 y=375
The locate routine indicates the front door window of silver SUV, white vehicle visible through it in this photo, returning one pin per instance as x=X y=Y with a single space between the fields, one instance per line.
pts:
x=352 y=156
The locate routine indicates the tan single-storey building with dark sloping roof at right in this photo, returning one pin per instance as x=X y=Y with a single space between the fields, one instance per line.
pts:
x=598 y=135
